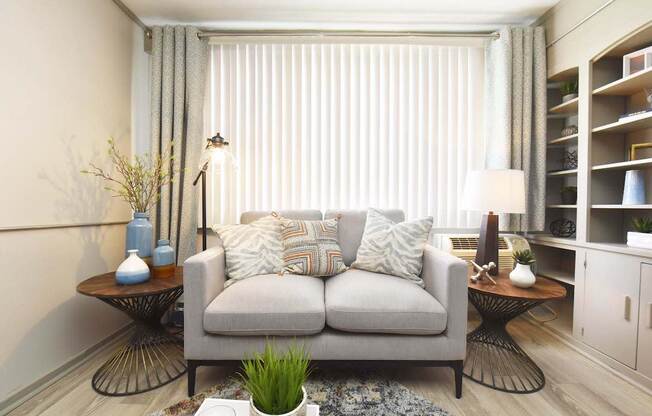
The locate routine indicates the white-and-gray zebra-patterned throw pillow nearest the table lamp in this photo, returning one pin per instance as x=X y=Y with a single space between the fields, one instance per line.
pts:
x=393 y=248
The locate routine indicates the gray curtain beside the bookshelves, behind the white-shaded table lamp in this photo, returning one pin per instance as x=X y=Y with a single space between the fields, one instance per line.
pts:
x=515 y=114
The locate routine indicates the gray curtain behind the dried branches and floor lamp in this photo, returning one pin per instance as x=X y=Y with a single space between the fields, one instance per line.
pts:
x=179 y=62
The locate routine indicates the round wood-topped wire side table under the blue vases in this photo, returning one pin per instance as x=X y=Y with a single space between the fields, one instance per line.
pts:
x=152 y=357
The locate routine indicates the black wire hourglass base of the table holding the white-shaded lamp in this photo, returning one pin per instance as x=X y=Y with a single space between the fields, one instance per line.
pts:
x=493 y=358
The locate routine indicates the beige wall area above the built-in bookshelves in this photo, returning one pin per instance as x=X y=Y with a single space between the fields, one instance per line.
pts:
x=611 y=24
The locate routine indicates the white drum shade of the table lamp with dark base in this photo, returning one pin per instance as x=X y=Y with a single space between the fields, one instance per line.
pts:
x=497 y=190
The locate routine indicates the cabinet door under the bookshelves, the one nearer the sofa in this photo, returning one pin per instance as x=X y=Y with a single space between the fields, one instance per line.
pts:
x=611 y=304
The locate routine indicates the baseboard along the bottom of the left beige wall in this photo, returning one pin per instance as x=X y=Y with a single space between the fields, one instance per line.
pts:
x=26 y=393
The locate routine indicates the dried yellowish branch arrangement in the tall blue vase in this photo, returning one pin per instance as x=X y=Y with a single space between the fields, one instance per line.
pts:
x=139 y=182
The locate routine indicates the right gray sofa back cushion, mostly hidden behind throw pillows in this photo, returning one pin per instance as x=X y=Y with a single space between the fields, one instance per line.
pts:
x=351 y=228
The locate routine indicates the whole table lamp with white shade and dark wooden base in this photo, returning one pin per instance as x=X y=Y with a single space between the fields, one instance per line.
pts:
x=493 y=191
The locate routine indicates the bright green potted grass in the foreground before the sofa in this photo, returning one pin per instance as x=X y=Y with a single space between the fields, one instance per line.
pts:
x=275 y=381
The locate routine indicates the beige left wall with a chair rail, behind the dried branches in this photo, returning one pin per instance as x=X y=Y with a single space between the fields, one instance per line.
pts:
x=65 y=87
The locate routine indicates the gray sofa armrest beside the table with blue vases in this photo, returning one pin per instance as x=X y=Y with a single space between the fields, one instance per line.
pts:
x=203 y=280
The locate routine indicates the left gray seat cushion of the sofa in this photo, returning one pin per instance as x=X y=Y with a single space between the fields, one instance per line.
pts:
x=268 y=305
